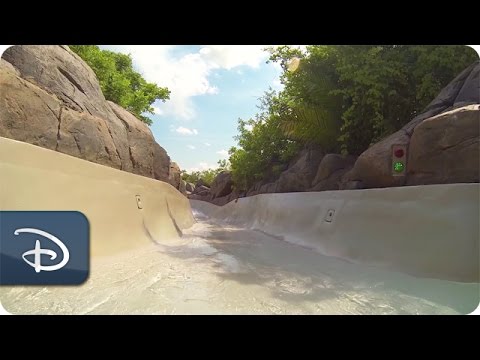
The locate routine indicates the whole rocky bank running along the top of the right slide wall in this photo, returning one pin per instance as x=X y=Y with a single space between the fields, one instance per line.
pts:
x=442 y=147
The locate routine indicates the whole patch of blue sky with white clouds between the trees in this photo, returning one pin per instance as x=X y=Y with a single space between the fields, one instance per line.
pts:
x=211 y=87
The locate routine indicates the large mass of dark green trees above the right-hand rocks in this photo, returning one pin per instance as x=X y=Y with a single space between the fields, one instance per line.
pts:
x=341 y=98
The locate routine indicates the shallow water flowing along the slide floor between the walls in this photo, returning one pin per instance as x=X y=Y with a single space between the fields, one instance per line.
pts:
x=219 y=269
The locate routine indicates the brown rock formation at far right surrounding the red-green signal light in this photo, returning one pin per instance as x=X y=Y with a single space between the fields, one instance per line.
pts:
x=443 y=144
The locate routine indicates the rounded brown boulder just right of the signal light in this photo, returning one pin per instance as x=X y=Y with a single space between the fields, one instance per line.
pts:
x=445 y=148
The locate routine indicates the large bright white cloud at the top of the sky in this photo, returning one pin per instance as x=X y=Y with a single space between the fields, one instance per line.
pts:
x=187 y=75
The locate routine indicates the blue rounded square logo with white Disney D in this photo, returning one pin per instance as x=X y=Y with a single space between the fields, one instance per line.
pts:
x=44 y=248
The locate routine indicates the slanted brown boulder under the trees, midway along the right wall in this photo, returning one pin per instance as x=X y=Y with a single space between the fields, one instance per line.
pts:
x=300 y=175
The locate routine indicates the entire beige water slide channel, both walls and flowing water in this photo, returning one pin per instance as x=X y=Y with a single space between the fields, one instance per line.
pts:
x=409 y=250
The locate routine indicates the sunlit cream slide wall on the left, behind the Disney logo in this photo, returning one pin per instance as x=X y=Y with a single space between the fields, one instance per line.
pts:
x=34 y=178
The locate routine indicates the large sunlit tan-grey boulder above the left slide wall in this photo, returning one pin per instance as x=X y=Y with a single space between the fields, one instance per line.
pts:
x=51 y=98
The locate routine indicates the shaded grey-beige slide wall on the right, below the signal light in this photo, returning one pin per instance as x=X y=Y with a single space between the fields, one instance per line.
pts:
x=430 y=230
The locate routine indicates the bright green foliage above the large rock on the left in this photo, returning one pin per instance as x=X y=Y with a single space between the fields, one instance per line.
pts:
x=119 y=82
